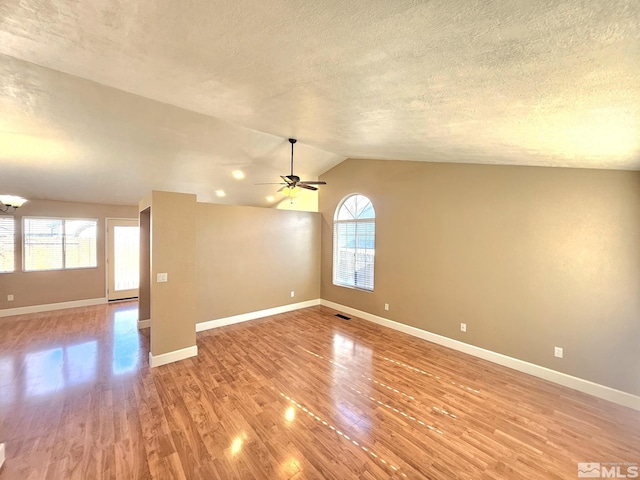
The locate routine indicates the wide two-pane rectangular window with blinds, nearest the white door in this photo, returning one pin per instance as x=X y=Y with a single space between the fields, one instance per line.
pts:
x=58 y=243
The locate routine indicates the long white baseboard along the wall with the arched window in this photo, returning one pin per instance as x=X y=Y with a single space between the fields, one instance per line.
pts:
x=586 y=386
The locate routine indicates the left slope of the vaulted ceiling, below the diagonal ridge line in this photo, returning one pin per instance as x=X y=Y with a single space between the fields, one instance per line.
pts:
x=66 y=138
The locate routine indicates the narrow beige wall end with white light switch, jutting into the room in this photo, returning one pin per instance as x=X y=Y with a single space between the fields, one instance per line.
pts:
x=173 y=303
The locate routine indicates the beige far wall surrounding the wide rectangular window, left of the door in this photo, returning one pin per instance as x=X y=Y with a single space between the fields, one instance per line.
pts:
x=37 y=288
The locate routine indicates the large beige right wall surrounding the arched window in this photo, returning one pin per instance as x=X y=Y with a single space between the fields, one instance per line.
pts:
x=530 y=258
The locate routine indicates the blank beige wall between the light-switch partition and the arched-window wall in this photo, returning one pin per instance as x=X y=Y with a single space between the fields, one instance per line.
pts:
x=252 y=258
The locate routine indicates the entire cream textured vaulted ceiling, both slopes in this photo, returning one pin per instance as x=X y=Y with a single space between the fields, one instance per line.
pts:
x=553 y=83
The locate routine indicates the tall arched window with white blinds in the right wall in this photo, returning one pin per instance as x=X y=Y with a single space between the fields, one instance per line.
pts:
x=354 y=240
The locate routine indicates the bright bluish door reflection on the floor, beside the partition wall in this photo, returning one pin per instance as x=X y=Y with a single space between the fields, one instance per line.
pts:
x=126 y=344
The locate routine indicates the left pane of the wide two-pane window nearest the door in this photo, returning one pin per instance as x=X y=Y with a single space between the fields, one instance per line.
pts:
x=43 y=239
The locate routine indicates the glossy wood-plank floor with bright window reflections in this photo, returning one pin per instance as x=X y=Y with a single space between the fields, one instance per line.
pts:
x=293 y=396
